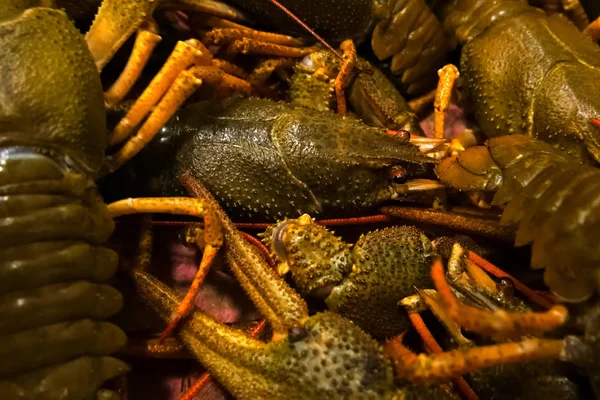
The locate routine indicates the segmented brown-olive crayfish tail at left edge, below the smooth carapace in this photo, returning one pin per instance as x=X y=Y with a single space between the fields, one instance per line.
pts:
x=53 y=272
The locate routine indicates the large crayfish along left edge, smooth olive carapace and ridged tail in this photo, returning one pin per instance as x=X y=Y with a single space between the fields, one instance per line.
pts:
x=53 y=268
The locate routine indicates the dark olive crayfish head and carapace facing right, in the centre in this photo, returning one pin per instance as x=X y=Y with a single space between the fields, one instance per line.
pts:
x=270 y=160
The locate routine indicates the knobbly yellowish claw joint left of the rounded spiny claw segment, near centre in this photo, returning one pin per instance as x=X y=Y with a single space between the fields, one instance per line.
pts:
x=317 y=259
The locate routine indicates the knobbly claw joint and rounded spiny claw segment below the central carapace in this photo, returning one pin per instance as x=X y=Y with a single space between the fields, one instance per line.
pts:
x=363 y=282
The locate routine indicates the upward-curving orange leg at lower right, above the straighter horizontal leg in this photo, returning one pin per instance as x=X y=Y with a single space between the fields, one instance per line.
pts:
x=497 y=324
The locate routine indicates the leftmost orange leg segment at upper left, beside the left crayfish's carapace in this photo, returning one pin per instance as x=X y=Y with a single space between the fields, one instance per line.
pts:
x=145 y=42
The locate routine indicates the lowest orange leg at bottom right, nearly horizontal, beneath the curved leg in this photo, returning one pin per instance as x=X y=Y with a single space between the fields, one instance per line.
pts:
x=433 y=368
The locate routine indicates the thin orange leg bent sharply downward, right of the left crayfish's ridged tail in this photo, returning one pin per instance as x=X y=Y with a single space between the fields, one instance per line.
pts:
x=213 y=239
